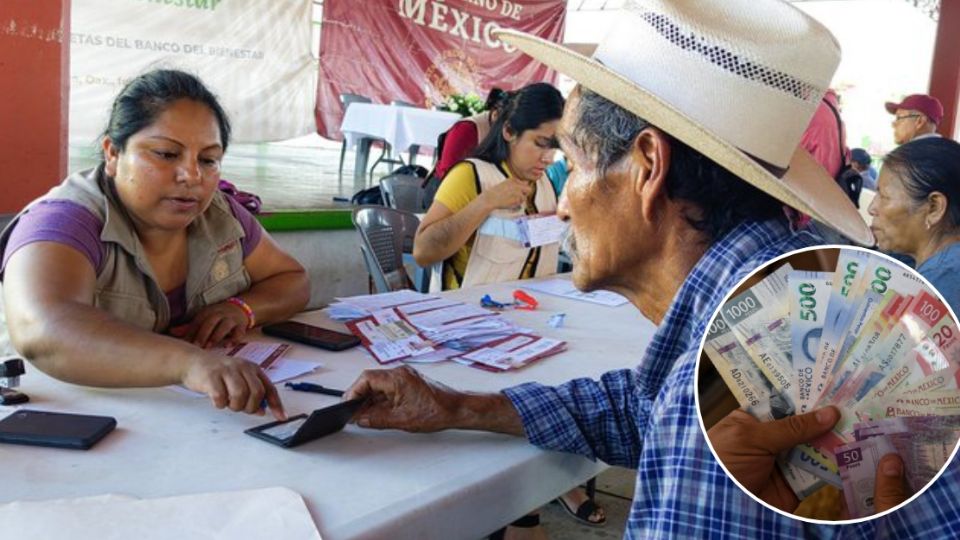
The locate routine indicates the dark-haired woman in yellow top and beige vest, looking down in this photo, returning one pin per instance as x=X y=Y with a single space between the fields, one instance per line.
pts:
x=505 y=179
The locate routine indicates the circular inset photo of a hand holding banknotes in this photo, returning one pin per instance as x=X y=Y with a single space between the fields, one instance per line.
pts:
x=828 y=384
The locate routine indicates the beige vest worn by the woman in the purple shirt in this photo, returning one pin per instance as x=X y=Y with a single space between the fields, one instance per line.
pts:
x=126 y=285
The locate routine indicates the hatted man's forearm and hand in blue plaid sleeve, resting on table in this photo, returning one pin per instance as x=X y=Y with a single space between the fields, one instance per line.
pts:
x=591 y=418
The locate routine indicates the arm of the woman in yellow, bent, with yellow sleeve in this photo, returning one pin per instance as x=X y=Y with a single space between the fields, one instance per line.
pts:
x=444 y=230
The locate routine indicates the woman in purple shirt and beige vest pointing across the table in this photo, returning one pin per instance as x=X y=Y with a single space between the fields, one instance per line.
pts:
x=99 y=269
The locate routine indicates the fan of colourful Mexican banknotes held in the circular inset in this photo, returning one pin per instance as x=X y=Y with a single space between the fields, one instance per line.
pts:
x=870 y=339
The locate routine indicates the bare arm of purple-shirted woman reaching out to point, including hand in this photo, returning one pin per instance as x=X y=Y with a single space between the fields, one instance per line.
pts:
x=49 y=292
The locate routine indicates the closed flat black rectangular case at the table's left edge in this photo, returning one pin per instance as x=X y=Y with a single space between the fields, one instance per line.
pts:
x=59 y=430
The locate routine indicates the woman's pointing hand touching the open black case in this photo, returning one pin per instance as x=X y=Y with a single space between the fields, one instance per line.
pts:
x=233 y=383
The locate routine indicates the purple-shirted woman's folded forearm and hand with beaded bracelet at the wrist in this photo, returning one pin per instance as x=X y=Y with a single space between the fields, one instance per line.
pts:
x=279 y=289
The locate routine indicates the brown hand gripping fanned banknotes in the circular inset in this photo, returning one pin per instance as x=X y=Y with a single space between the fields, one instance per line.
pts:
x=749 y=448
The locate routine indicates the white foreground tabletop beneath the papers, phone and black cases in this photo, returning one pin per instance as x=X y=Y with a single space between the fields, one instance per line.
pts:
x=358 y=483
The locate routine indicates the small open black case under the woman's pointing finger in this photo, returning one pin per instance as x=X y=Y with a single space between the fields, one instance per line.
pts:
x=302 y=428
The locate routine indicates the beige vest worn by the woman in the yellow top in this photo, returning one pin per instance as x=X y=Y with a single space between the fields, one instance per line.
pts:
x=494 y=259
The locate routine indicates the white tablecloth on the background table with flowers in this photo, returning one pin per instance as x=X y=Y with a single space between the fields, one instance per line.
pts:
x=399 y=126
